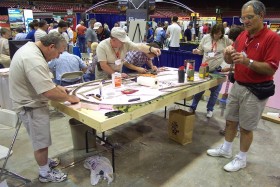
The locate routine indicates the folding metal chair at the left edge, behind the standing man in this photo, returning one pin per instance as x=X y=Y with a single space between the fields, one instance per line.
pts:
x=9 y=118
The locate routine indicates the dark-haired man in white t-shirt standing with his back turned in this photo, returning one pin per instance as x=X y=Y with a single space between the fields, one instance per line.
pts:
x=173 y=32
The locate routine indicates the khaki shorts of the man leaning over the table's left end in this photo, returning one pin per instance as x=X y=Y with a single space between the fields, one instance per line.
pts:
x=37 y=124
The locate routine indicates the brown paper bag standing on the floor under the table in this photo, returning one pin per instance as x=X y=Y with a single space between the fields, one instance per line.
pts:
x=180 y=126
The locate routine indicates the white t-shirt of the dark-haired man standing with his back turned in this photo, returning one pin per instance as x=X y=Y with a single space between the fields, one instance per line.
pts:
x=174 y=31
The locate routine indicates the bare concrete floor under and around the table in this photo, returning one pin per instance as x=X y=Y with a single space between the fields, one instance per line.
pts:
x=146 y=157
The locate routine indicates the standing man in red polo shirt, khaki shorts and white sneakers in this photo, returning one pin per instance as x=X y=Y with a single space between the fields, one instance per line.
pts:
x=256 y=57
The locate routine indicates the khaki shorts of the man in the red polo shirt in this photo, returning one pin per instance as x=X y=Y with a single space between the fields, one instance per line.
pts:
x=244 y=107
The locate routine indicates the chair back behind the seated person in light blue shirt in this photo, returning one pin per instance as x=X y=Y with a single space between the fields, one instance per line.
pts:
x=77 y=76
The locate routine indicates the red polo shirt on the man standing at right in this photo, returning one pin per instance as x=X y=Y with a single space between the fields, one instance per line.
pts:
x=263 y=47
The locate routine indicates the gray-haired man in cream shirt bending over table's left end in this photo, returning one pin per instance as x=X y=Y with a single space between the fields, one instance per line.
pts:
x=31 y=87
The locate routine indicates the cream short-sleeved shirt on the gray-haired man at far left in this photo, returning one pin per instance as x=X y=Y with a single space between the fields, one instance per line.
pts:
x=29 y=77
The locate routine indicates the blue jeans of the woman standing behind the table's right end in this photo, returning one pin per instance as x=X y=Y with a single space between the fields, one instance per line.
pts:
x=212 y=100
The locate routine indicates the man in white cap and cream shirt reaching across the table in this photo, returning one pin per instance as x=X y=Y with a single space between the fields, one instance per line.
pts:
x=111 y=51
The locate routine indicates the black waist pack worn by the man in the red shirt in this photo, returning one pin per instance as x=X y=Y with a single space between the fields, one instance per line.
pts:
x=261 y=90
